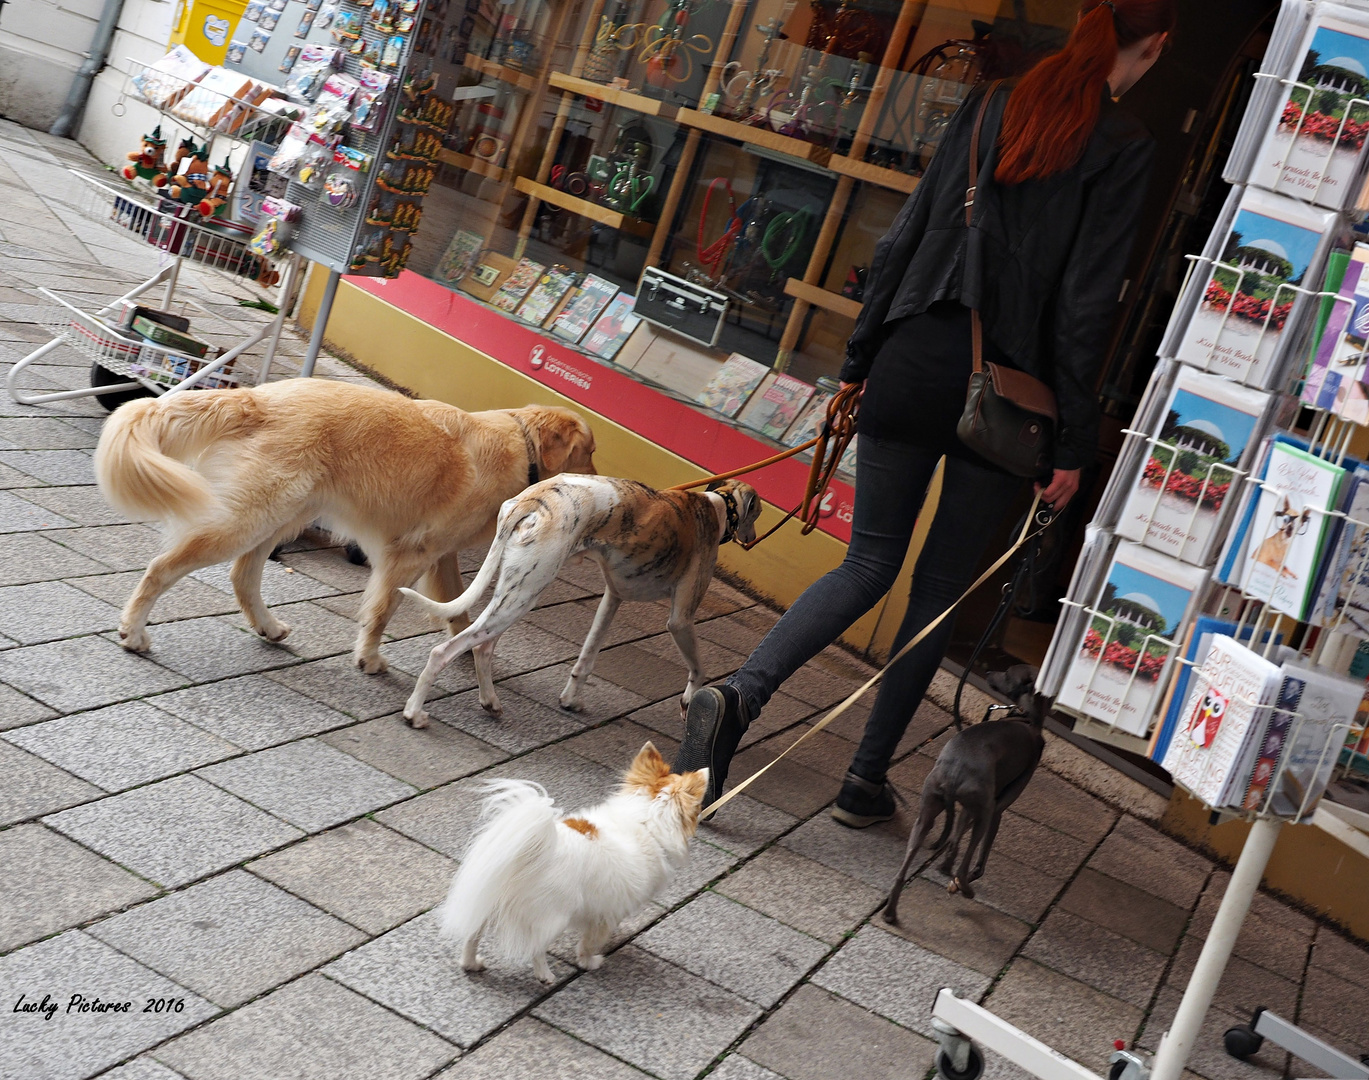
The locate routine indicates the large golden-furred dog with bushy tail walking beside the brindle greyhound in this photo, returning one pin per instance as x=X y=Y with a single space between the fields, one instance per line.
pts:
x=236 y=473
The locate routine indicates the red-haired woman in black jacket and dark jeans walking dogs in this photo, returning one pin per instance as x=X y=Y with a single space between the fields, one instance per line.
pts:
x=1062 y=175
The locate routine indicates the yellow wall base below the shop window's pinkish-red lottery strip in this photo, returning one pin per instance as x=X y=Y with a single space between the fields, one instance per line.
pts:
x=420 y=358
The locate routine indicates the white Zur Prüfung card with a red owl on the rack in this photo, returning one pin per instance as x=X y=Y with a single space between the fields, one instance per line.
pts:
x=1223 y=723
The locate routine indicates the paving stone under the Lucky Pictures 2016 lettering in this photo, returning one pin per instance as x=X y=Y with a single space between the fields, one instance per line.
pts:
x=75 y=1044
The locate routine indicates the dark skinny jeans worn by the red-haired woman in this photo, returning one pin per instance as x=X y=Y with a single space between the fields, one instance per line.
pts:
x=892 y=481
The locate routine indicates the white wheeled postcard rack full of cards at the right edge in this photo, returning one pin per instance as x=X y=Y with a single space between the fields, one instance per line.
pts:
x=1216 y=619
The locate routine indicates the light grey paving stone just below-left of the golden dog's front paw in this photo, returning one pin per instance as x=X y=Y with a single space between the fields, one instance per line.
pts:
x=253 y=712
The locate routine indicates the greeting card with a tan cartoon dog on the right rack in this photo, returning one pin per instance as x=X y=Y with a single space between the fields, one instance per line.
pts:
x=1289 y=529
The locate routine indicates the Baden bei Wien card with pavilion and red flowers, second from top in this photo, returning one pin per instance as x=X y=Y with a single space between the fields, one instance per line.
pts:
x=1245 y=325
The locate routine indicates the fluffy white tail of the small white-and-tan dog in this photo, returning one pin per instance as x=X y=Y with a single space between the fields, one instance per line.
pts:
x=502 y=885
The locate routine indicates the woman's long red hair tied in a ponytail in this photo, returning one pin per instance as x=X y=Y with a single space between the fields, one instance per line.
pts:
x=1055 y=107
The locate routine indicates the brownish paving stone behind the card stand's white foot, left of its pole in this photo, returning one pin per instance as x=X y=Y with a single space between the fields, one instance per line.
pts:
x=1069 y=1016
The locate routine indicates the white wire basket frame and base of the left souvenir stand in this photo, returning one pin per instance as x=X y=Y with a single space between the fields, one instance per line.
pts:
x=127 y=357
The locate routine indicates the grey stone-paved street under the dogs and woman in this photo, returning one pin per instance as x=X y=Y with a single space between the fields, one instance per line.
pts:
x=251 y=833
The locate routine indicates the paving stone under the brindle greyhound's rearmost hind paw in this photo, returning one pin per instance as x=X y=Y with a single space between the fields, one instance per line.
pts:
x=424 y=758
